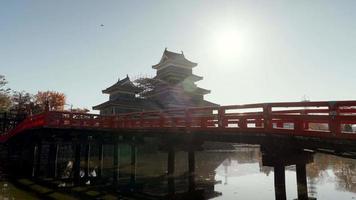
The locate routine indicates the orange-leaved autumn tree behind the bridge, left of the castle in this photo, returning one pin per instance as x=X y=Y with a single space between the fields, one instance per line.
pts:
x=50 y=100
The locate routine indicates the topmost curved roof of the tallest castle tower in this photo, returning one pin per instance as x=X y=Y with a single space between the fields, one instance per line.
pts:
x=172 y=58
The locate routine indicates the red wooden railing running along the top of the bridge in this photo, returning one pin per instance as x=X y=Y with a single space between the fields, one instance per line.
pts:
x=315 y=119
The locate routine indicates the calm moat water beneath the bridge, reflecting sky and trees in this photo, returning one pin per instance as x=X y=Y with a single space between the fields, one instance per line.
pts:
x=236 y=172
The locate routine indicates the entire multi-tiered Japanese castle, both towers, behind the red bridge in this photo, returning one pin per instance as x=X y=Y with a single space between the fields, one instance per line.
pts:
x=174 y=87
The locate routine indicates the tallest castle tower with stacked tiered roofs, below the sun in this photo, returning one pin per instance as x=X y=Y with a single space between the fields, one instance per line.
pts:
x=176 y=85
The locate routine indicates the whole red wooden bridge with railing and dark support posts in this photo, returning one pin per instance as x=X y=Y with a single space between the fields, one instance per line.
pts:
x=286 y=133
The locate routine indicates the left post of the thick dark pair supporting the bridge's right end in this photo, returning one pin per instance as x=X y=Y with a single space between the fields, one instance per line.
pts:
x=279 y=182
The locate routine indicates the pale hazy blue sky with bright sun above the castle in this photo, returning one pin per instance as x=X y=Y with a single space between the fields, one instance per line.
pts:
x=247 y=51
